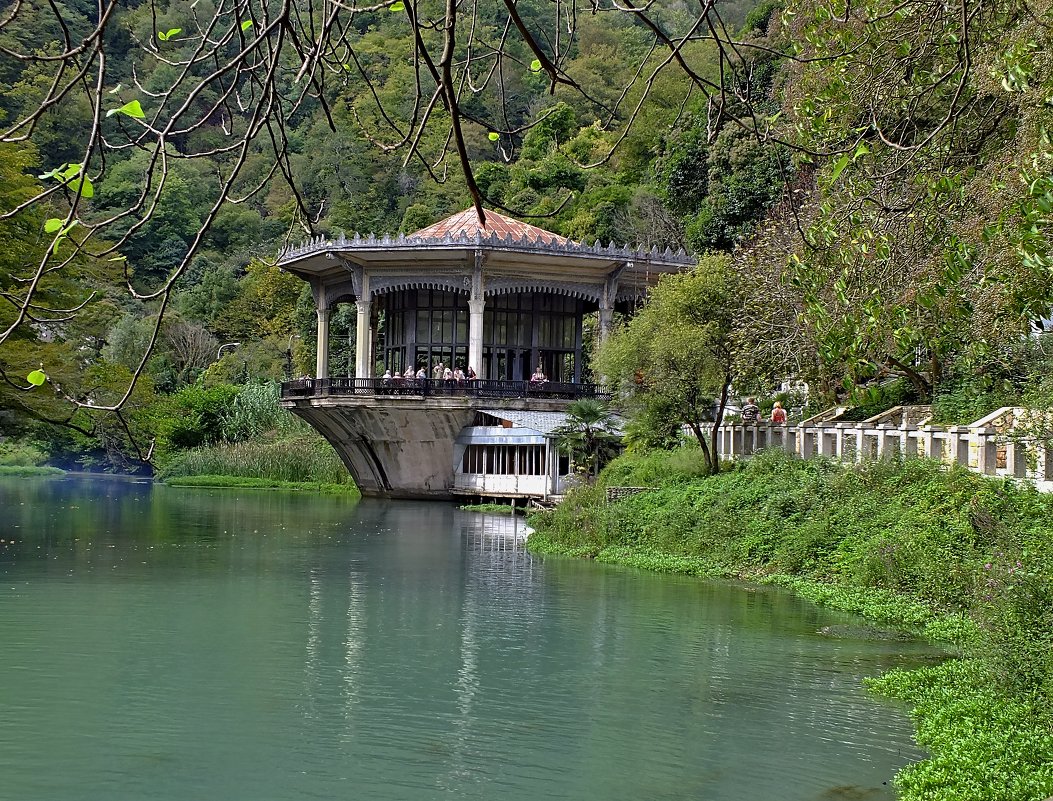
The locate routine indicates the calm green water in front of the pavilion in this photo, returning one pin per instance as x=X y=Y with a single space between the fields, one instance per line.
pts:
x=184 y=645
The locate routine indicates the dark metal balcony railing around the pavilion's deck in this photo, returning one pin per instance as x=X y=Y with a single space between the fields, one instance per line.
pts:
x=341 y=388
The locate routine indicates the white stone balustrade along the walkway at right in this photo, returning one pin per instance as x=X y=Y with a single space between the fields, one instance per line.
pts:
x=1003 y=444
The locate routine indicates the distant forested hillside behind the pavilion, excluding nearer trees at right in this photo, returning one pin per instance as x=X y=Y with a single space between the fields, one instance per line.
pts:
x=146 y=211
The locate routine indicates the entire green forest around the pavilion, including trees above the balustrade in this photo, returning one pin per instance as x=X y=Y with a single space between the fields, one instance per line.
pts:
x=873 y=181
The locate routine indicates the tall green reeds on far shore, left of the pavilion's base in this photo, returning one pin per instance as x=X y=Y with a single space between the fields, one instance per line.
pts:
x=306 y=458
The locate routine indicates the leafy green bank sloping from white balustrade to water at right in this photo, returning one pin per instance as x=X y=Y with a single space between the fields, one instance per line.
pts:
x=960 y=557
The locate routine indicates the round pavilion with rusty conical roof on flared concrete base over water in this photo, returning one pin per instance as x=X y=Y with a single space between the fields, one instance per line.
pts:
x=502 y=297
